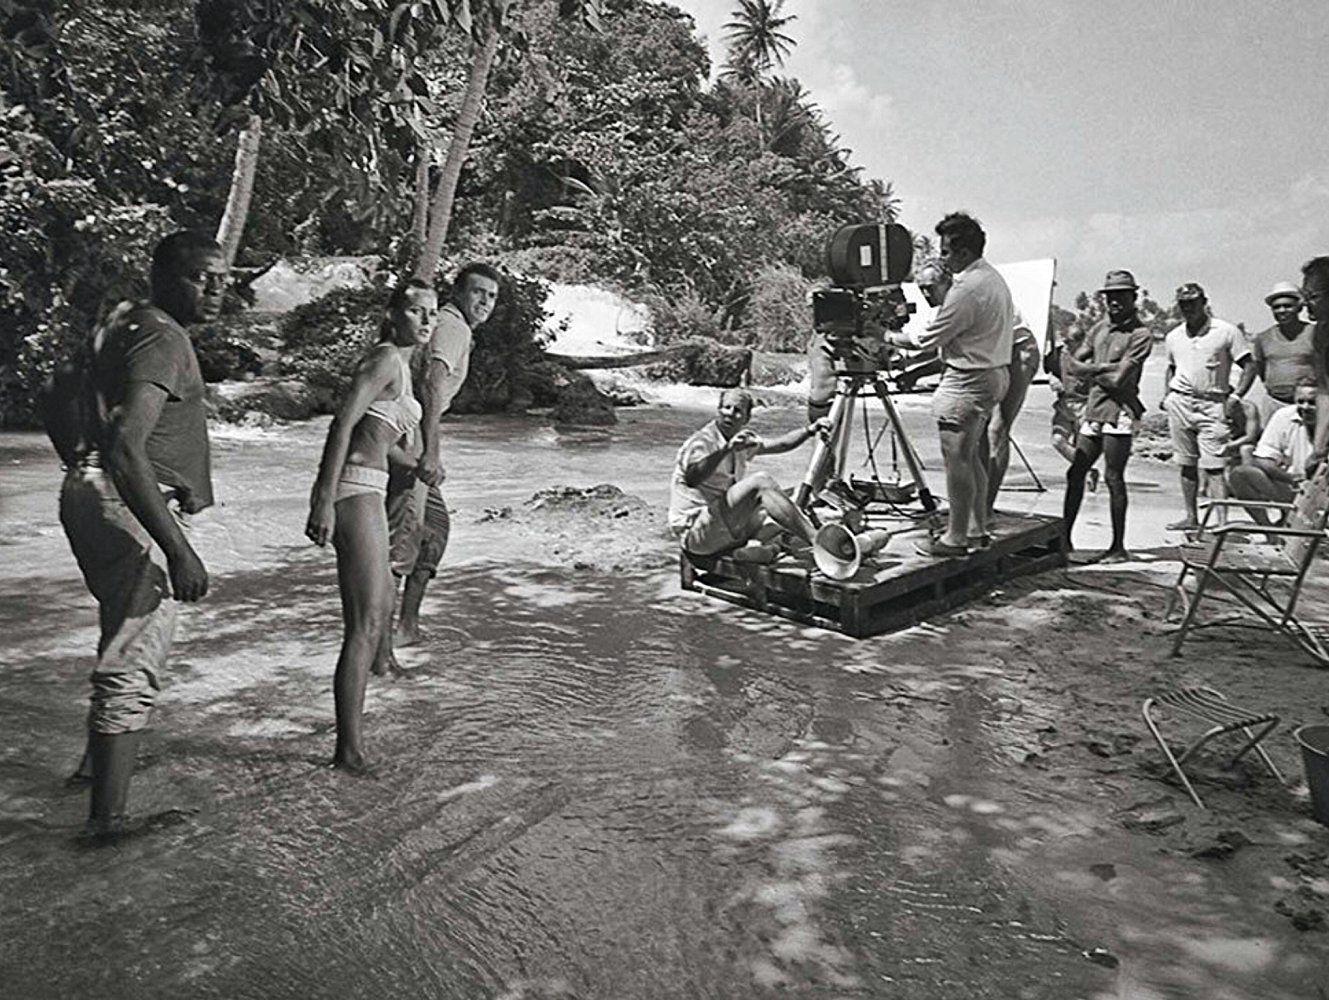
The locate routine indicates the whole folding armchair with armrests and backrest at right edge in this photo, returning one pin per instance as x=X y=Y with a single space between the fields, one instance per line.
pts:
x=1249 y=570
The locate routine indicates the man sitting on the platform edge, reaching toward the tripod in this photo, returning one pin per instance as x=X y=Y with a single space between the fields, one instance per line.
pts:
x=716 y=505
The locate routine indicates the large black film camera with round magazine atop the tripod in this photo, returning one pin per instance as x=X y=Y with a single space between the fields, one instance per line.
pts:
x=867 y=263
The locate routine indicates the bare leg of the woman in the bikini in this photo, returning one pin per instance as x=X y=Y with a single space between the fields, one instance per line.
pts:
x=367 y=594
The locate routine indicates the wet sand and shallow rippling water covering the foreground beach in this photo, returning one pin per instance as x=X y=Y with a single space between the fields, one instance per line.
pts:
x=599 y=787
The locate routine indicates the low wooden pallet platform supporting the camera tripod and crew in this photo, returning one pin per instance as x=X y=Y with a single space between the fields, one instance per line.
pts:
x=895 y=590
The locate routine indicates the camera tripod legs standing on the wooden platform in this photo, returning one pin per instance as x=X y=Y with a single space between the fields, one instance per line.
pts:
x=829 y=461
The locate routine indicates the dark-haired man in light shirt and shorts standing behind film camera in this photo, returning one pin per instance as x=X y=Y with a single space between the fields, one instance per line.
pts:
x=975 y=333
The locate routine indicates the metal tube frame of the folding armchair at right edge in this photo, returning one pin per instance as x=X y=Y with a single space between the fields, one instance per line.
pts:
x=1251 y=587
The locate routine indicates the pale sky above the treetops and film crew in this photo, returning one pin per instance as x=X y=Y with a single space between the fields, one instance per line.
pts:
x=1178 y=139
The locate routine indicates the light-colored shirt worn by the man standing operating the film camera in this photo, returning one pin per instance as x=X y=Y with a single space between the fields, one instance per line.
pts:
x=975 y=326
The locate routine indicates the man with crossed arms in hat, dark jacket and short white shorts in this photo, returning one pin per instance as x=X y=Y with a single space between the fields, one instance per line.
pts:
x=1110 y=360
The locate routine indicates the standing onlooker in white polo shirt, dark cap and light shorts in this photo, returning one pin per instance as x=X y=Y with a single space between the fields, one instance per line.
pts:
x=1201 y=354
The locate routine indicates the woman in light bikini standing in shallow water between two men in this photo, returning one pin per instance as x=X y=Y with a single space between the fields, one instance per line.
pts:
x=378 y=417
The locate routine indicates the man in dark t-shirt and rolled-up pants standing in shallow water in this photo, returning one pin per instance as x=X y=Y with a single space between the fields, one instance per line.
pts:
x=126 y=502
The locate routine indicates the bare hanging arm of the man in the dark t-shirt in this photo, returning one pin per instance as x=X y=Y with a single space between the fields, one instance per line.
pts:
x=126 y=458
